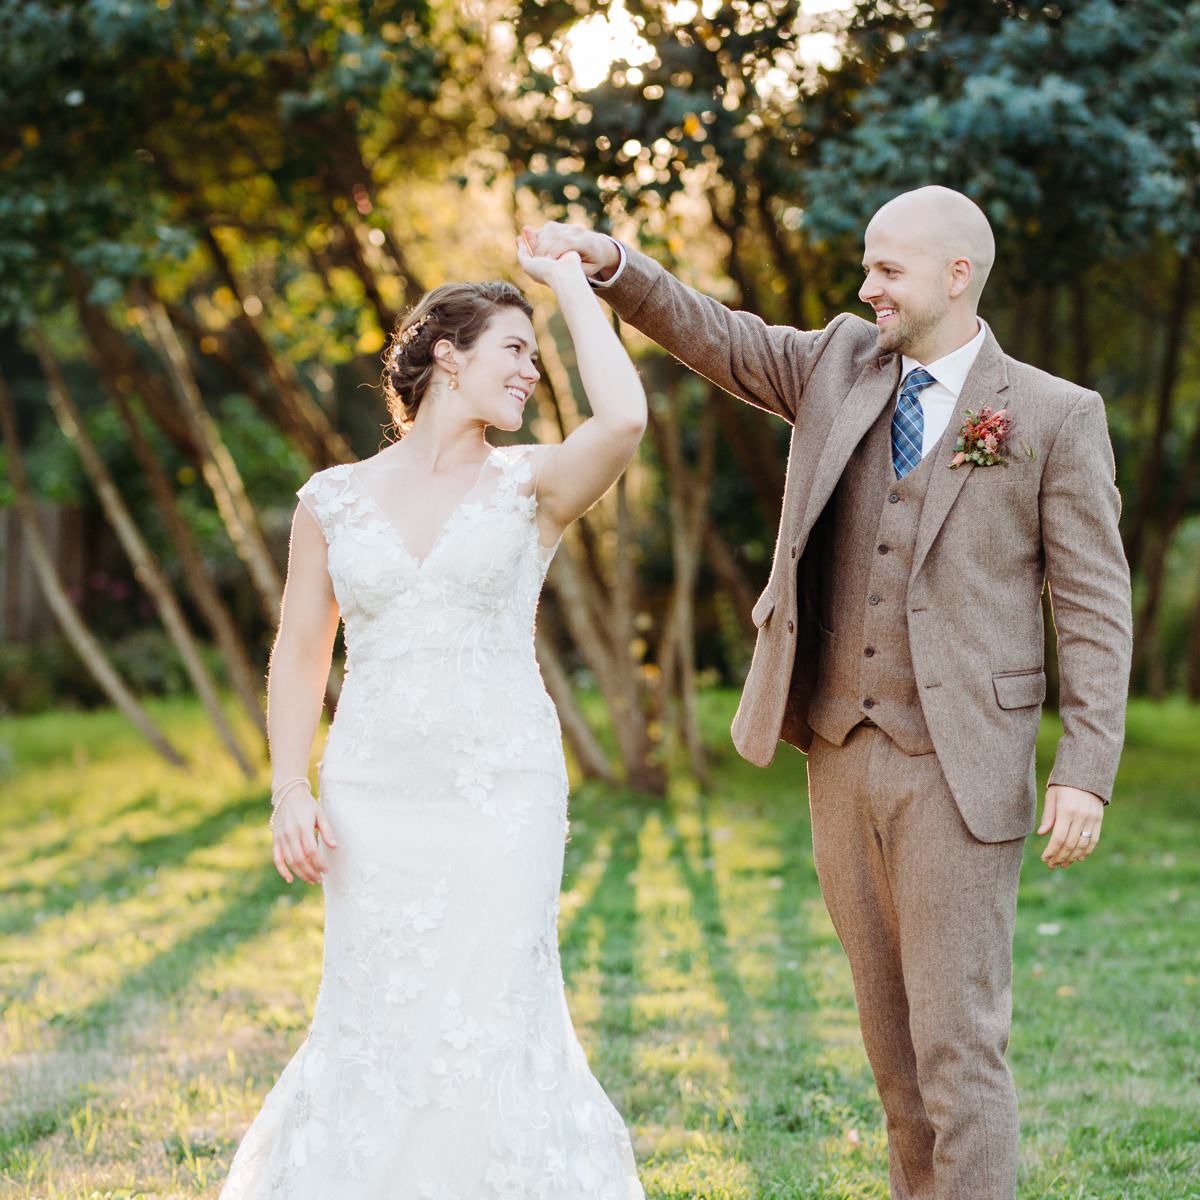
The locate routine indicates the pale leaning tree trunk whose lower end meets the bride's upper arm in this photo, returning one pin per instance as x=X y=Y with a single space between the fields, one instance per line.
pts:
x=217 y=464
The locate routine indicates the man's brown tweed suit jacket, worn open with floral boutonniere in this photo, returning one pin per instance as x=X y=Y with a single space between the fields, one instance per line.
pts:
x=988 y=542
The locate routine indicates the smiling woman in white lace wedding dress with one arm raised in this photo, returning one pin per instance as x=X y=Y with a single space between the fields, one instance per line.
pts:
x=441 y=1063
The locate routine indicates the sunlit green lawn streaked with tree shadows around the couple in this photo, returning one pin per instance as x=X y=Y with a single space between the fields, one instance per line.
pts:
x=157 y=975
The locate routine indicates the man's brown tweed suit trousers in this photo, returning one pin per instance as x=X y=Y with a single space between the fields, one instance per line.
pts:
x=926 y=914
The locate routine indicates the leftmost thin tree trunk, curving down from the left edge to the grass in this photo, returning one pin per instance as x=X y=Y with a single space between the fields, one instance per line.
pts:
x=74 y=628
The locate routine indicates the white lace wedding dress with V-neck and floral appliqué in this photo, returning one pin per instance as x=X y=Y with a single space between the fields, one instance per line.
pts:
x=441 y=1063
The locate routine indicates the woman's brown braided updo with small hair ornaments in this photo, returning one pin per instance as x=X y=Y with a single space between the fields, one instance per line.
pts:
x=458 y=313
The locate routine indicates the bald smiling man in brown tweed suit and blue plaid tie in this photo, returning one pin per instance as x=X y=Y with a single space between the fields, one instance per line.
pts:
x=901 y=644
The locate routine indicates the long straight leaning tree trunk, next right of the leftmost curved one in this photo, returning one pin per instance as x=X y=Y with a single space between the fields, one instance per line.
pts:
x=146 y=567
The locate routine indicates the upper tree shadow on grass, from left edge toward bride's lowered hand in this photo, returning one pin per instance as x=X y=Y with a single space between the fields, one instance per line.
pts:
x=128 y=866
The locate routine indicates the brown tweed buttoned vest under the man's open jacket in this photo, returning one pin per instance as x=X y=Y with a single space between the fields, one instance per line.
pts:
x=866 y=665
